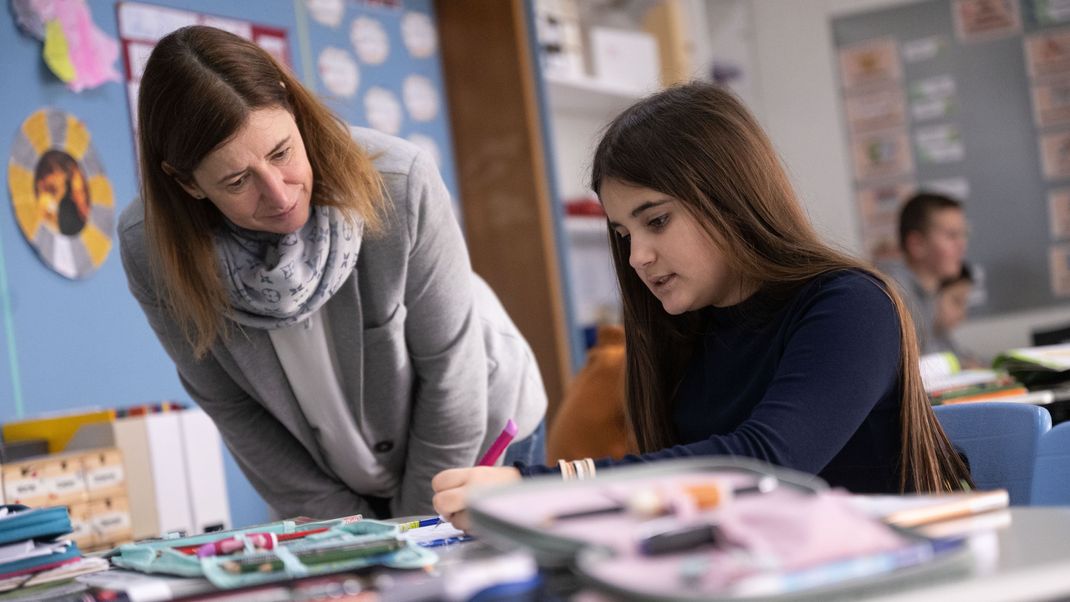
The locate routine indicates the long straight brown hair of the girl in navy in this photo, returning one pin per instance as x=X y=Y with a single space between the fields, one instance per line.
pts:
x=698 y=144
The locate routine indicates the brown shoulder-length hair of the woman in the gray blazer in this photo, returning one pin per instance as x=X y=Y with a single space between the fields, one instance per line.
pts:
x=198 y=89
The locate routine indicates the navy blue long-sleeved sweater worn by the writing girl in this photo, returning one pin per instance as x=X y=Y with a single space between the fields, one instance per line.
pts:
x=811 y=383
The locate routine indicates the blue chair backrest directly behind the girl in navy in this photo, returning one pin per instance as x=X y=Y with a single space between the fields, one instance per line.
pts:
x=1001 y=442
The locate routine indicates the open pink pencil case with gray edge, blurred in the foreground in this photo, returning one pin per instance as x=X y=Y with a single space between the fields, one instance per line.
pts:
x=720 y=529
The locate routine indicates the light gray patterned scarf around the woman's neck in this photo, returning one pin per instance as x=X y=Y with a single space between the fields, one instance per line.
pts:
x=276 y=281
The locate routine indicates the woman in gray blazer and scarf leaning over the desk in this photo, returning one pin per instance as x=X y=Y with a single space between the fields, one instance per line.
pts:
x=313 y=288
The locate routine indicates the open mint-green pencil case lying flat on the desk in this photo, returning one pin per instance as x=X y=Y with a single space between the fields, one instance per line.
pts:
x=343 y=546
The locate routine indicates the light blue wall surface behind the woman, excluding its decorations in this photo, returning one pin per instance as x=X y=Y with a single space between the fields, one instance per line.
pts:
x=86 y=344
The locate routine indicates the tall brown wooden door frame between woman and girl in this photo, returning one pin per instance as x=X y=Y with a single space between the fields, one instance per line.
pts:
x=505 y=186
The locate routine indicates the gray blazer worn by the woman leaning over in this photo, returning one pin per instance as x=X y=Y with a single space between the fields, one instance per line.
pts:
x=430 y=362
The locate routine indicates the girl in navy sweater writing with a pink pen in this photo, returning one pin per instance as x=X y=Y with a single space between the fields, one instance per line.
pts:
x=746 y=334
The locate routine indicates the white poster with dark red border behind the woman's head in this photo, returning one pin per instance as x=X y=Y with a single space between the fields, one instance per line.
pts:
x=142 y=26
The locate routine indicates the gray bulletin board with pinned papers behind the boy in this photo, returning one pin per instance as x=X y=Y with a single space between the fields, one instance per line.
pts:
x=972 y=99
